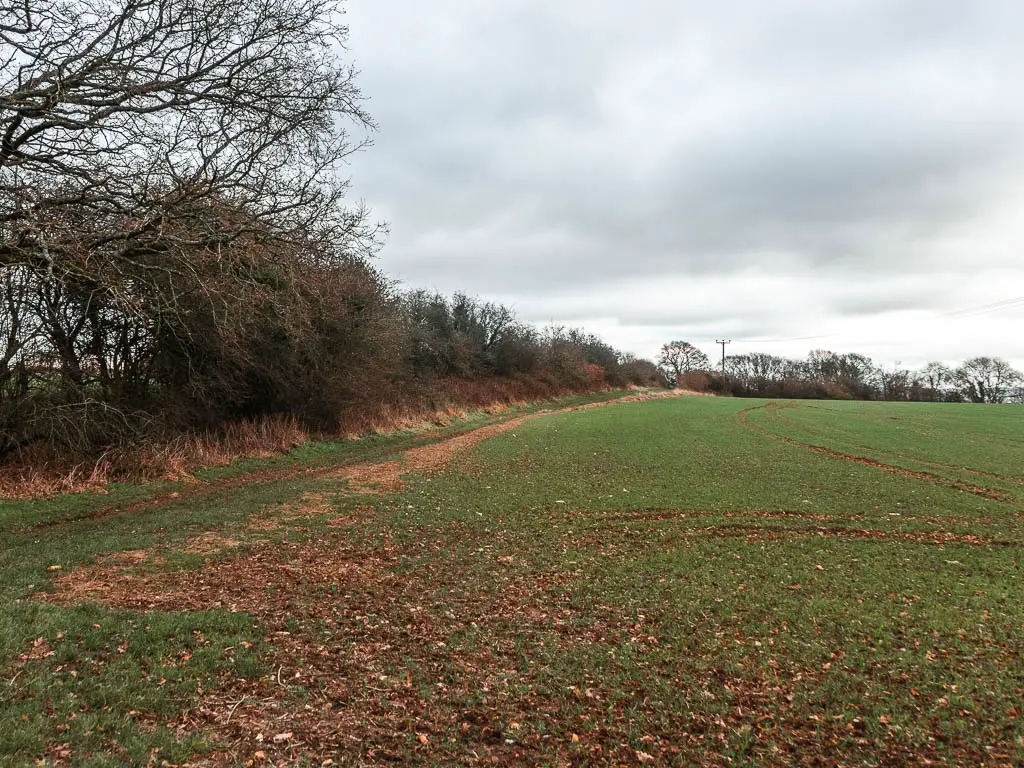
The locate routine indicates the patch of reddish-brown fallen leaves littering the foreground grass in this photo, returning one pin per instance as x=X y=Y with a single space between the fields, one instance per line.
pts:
x=357 y=641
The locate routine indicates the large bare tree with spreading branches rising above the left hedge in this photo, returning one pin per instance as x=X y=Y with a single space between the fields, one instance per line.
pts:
x=141 y=140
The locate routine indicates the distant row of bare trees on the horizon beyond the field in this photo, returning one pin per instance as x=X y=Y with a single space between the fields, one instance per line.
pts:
x=828 y=375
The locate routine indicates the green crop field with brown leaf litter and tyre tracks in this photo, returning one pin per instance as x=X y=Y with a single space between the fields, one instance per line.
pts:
x=669 y=581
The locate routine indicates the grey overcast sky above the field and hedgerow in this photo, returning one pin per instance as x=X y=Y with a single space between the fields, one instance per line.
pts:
x=743 y=169
